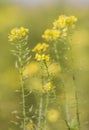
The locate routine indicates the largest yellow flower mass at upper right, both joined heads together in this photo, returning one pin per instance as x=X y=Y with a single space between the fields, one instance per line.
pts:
x=60 y=28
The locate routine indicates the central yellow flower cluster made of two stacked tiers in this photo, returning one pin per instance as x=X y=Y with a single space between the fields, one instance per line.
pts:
x=40 y=50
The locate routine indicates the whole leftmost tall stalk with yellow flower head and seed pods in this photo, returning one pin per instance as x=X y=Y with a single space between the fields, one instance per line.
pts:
x=18 y=37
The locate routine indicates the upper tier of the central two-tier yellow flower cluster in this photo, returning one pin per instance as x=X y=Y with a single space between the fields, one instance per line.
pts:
x=40 y=47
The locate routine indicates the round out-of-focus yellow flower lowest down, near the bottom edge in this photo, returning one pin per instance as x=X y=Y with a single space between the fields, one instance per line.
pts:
x=53 y=115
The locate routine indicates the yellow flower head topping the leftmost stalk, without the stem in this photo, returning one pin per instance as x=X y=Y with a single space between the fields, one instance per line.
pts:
x=17 y=34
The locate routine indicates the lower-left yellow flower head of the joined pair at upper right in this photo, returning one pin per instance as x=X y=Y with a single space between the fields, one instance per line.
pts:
x=51 y=34
